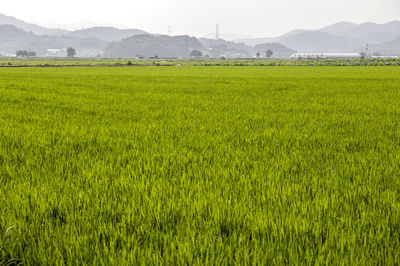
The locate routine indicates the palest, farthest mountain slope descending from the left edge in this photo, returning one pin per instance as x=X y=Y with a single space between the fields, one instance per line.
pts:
x=28 y=27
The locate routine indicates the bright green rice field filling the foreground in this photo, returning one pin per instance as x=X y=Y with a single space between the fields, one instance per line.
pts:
x=200 y=165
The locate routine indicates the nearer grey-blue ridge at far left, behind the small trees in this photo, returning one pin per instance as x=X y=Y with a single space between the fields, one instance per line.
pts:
x=13 y=39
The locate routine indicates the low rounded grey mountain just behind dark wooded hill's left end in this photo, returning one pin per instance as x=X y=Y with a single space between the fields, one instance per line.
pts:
x=108 y=34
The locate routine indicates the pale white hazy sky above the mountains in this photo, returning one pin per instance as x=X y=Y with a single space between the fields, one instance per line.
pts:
x=250 y=17
